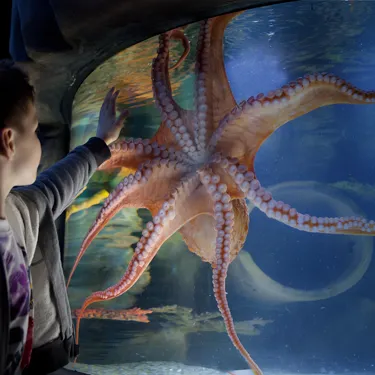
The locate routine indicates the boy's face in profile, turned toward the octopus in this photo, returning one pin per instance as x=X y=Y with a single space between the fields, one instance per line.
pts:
x=27 y=148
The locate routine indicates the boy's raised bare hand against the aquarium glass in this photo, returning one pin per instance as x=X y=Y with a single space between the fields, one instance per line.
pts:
x=109 y=126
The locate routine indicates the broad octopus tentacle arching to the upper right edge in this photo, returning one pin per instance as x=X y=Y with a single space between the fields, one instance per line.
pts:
x=246 y=127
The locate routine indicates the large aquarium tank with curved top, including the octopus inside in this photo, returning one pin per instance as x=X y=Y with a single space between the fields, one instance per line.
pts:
x=231 y=231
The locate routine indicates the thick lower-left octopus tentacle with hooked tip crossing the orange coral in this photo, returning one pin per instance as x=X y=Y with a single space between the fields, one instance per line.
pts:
x=189 y=200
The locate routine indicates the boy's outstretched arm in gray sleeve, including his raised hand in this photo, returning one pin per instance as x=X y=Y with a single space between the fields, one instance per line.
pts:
x=57 y=187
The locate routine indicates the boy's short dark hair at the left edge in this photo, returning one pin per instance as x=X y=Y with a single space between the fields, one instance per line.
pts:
x=15 y=91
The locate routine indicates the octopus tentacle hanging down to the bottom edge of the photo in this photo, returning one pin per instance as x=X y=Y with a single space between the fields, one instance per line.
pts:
x=224 y=216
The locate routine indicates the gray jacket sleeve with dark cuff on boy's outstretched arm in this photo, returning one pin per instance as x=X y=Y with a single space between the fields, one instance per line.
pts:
x=56 y=188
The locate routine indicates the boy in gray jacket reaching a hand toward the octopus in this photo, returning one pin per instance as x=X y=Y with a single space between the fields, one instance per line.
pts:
x=40 y=330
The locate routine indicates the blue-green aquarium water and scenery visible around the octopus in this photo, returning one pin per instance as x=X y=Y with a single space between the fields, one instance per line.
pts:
x=302 y=302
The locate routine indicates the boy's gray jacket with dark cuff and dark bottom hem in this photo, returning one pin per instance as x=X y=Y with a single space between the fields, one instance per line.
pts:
x=31 y=212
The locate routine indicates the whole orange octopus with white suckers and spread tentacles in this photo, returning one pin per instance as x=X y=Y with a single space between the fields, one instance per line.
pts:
x=197 y=172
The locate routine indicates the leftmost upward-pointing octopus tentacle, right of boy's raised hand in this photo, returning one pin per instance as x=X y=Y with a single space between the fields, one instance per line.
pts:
x=174 y=117
